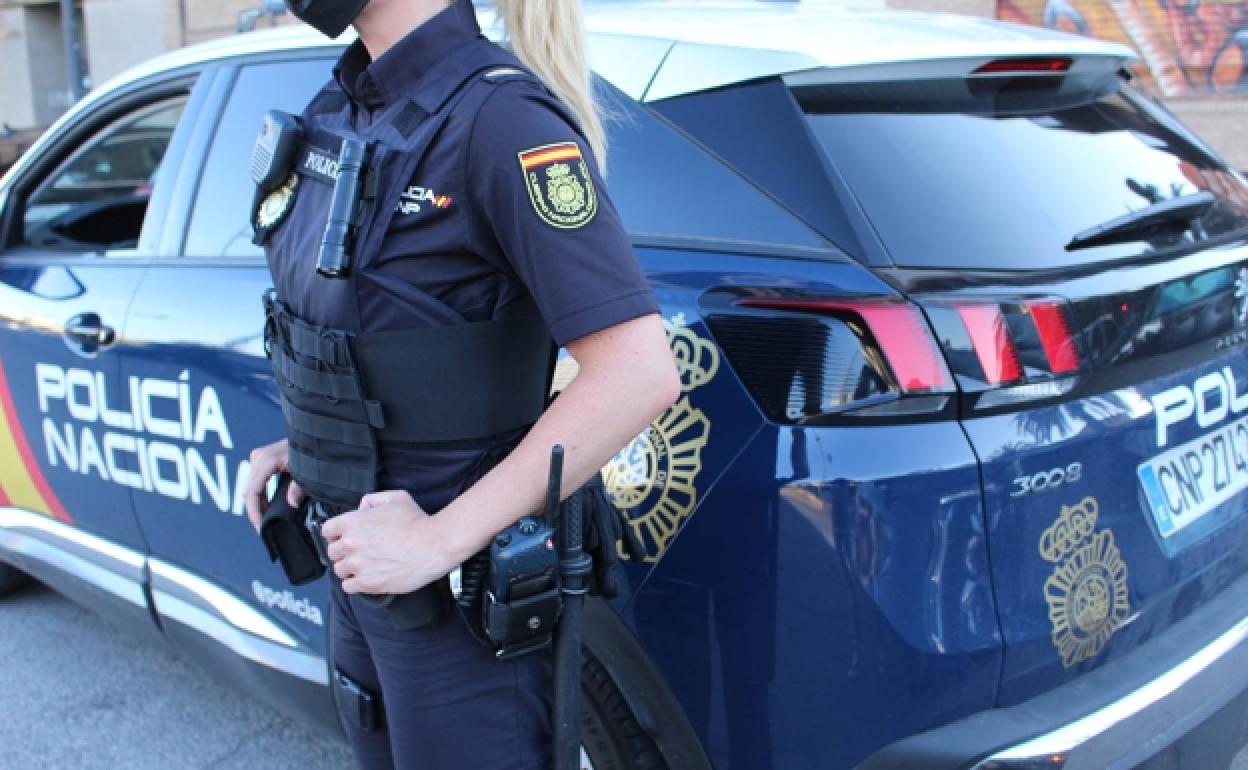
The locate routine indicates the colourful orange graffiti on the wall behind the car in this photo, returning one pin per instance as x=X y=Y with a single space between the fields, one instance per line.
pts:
x=1186 y=47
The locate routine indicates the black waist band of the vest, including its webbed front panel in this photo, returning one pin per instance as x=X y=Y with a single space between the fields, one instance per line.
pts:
x=344 y=392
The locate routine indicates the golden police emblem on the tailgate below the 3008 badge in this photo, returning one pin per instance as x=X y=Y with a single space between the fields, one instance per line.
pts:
x=1088 y=591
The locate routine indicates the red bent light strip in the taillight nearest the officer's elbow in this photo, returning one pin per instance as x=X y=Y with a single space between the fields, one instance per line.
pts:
x=897 y=328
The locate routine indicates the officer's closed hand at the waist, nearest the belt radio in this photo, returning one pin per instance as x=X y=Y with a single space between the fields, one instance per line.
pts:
x=390 y=546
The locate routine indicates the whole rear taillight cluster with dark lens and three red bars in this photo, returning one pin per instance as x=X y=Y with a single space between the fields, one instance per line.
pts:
x=808 y=359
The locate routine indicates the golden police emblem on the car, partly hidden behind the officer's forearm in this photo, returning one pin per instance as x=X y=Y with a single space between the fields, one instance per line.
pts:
x=653 y=480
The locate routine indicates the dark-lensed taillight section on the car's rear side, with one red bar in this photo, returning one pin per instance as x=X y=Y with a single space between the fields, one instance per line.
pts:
x=804 y=358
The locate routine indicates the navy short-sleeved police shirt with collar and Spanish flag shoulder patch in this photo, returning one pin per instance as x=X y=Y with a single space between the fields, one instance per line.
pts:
x=507 y=205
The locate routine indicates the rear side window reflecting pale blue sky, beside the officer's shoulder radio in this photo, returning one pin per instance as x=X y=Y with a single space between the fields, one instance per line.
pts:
x=222 y=222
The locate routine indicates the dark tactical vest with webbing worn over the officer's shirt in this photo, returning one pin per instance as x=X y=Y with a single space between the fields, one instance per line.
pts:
x=344 y=390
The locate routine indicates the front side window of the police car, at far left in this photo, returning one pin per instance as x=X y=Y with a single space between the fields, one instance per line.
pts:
x=97 y=200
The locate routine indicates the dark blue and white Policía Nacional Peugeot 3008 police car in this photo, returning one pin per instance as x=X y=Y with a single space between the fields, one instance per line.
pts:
x=958 y=474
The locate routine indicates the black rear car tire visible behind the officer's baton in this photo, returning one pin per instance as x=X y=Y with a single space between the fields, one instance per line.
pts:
x=610 y=733
